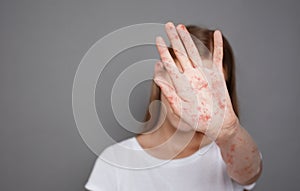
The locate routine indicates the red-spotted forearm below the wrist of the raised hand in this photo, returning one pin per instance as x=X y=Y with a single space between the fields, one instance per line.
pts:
x=240 y=154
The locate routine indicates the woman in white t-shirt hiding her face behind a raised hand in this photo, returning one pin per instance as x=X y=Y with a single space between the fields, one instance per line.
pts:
x=197 y=138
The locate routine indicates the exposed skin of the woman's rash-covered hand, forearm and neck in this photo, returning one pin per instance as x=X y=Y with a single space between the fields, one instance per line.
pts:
x=187 y=90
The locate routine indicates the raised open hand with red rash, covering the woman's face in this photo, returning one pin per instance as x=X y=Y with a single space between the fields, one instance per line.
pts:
x=198 y=94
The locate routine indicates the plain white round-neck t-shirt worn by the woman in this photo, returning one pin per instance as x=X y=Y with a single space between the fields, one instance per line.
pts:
x=203 y=170
